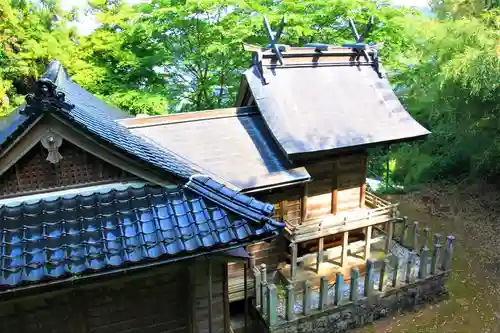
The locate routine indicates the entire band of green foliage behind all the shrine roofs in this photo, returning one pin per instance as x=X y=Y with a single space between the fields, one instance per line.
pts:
x=182 y=55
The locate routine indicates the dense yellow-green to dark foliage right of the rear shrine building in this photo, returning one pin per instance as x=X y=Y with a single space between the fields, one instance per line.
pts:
x=454 y=90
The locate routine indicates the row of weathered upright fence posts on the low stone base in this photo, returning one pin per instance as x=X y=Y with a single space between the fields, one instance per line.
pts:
x=386 y=271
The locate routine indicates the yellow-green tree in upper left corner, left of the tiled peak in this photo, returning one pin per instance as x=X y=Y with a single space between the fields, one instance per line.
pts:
x=30 y=36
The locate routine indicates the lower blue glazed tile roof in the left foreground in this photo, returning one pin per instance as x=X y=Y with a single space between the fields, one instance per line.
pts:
x=75 y=234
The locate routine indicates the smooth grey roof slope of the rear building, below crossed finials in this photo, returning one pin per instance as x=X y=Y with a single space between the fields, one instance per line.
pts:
x=327 y=108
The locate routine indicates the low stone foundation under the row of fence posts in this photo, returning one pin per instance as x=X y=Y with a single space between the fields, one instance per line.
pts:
x=357 y=314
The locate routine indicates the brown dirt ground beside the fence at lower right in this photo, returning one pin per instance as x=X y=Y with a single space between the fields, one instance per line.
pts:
x=472 y=214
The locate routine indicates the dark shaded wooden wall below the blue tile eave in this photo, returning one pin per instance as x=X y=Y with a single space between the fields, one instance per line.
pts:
x=159 y=303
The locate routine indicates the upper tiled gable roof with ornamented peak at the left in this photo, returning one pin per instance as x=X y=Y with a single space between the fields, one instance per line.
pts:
x=59 y=95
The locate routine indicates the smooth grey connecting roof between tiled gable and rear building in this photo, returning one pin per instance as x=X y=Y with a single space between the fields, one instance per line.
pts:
x=233 y=144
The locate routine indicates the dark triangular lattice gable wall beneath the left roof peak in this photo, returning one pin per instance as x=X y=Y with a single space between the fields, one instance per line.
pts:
x=32 y=173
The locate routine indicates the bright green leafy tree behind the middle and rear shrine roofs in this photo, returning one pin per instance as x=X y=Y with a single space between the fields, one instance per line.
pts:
x=199 y=44
